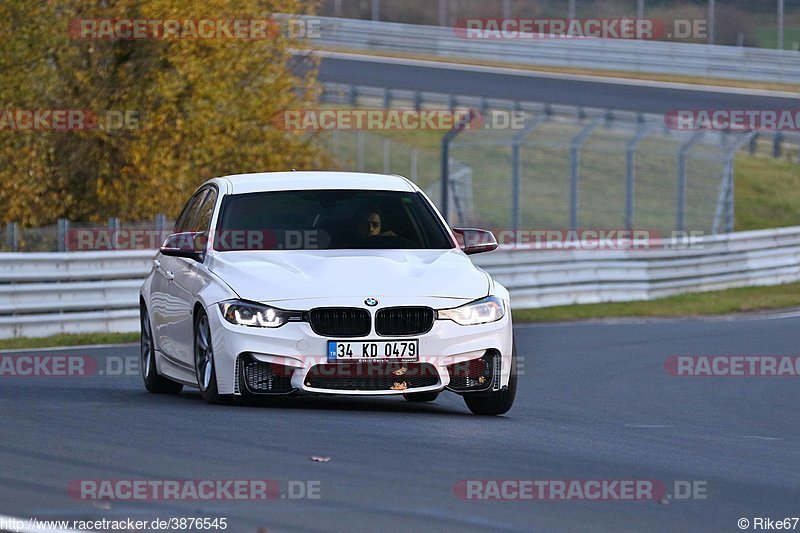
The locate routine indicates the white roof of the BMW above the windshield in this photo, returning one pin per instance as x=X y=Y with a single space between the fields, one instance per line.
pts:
x=288 y=181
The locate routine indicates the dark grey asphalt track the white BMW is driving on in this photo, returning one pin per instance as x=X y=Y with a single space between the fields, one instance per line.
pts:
x=594 y=403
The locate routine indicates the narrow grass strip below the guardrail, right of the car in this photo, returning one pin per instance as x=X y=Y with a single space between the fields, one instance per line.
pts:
x=745 y=299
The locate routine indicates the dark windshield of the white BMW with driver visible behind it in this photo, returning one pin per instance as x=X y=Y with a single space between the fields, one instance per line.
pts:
x=329 y=220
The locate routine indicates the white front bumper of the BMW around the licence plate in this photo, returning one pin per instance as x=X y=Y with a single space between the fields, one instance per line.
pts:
x=301 y=356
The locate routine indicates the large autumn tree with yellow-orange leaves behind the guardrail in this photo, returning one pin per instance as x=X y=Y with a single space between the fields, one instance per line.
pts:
x=193 y=107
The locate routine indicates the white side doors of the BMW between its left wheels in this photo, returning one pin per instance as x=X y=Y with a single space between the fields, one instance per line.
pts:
x=172 y=296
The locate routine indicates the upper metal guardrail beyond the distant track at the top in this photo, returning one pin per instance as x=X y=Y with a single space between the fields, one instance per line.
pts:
x=685 y=59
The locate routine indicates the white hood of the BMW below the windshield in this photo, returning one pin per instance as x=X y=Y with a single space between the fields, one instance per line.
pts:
x=270 y=276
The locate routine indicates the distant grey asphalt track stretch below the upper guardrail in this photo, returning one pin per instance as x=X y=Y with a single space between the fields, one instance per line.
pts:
x=629 y=95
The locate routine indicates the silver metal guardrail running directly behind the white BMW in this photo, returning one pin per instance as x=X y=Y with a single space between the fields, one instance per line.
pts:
x=44 y=294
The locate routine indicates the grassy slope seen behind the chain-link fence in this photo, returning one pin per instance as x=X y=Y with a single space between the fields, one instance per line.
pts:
x=767 y=189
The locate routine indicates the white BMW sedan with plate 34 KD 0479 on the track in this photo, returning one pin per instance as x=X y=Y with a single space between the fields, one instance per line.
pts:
x=324 y=283
